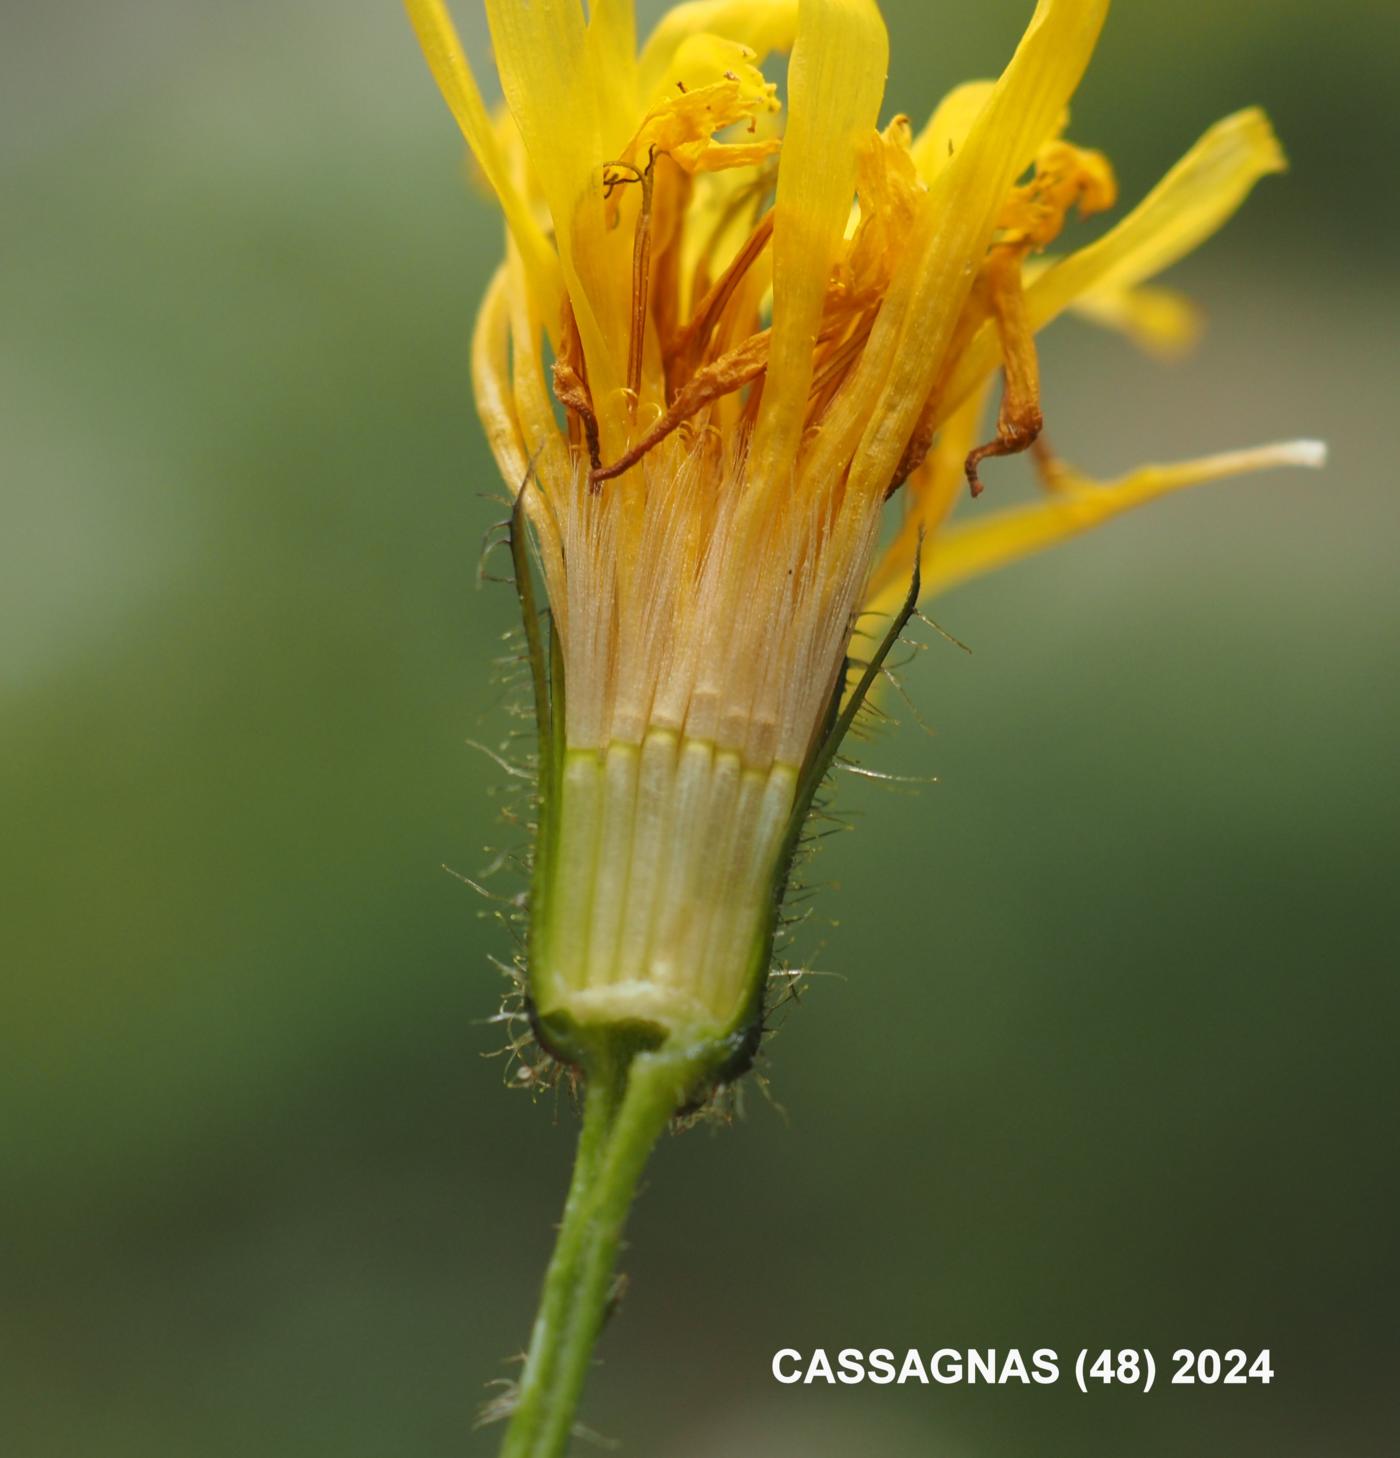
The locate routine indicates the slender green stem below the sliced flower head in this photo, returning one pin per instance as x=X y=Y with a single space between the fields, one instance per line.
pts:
x=626 y=1109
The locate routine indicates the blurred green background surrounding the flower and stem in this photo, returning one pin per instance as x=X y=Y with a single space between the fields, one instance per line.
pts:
x=1112 y=1056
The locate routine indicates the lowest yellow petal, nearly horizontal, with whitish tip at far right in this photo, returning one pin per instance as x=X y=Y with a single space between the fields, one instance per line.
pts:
x=1078 y=504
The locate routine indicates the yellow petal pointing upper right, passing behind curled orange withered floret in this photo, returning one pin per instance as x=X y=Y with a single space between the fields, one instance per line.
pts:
x=1199 y=195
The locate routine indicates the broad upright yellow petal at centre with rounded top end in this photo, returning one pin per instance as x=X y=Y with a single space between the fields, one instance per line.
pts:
x=835 y=82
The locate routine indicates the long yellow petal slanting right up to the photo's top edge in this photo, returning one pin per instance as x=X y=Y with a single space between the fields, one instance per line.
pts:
x=876 y=416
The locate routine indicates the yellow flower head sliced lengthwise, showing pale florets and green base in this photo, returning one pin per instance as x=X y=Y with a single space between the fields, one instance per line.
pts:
x=726 y=336
